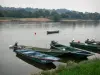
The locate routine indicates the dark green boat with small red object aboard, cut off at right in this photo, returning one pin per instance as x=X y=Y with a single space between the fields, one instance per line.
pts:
x=89 y=47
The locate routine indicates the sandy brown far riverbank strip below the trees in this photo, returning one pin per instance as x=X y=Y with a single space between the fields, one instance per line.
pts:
x=8 y=19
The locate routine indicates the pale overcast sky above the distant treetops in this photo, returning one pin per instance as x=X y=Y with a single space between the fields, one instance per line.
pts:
x=78 y=5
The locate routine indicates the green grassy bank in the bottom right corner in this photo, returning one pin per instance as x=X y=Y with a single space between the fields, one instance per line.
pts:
x=90 y=67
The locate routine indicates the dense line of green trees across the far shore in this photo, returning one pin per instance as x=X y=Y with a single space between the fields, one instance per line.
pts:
x=54 y=14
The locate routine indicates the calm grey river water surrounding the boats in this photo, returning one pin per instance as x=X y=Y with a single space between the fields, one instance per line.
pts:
x=24 y=33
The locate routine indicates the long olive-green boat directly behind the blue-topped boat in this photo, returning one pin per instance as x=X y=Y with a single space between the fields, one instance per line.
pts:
x=52 y=52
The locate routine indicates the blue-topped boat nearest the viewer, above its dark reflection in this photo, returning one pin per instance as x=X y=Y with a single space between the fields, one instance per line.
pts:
x=36 y=56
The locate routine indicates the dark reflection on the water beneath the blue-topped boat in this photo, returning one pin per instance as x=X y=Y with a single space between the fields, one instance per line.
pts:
x=36 y=64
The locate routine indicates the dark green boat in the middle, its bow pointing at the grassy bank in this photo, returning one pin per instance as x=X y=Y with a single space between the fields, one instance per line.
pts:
x=71 y=50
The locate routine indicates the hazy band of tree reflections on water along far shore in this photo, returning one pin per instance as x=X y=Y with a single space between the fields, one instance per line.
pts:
x=49 y=25
